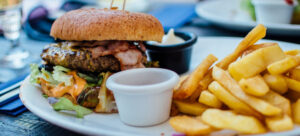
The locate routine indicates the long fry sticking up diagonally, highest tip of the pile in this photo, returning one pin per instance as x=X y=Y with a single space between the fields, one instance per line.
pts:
x=252 y=37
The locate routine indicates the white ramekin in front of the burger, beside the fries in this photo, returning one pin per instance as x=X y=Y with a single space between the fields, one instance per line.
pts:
x=143 y=95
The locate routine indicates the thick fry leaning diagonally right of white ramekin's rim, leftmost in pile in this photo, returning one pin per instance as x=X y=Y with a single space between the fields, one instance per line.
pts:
x=191 y=83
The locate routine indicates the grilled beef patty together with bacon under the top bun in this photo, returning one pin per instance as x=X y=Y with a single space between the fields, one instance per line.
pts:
x=99 y=57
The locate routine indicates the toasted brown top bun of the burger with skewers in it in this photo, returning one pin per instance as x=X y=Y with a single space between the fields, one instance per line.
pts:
x=106 y=24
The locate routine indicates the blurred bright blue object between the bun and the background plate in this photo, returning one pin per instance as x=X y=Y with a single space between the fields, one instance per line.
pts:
x=174 y=15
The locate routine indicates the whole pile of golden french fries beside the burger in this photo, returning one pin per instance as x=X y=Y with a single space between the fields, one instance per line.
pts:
x=253 y=90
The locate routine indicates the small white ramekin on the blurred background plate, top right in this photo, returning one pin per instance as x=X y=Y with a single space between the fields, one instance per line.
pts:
x=273 y=11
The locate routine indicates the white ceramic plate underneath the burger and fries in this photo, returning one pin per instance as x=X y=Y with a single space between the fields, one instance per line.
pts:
x=110 y=124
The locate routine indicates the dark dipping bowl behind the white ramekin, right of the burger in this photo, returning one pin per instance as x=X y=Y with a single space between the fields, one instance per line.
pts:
x=176 y=57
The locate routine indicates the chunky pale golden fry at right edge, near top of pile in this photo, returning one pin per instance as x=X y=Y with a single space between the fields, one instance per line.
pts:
x=282 y=66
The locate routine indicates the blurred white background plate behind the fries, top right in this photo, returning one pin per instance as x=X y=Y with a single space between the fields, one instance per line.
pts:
x=228 y=14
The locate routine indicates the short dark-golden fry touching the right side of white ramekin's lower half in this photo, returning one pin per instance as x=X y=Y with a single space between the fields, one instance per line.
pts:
x=190 y=108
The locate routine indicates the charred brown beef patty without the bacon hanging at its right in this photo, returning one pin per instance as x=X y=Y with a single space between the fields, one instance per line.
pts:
x=91 y=59
